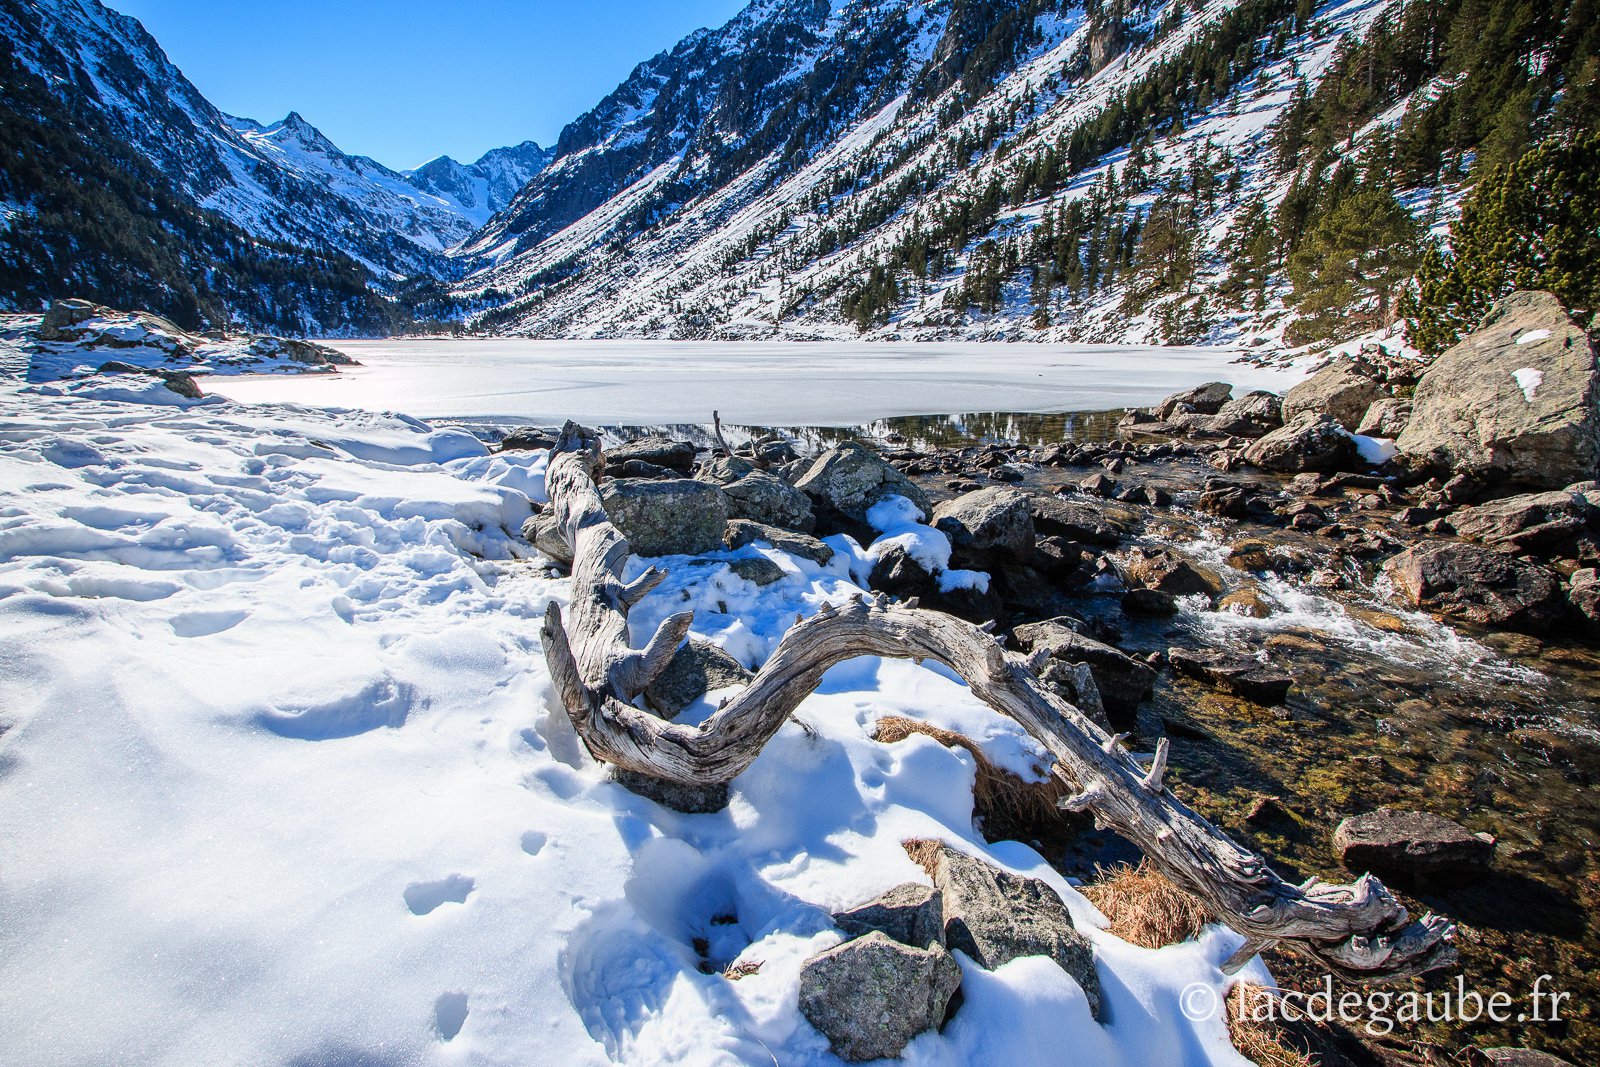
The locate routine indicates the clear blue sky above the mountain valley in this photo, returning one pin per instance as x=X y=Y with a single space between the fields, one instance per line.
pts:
x=406 y=81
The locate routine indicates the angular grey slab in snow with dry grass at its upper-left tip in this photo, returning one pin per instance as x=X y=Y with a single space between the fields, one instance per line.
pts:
x=996 y=917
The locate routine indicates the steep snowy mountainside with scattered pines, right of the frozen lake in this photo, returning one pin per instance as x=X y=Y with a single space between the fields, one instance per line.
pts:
x=1114 y=170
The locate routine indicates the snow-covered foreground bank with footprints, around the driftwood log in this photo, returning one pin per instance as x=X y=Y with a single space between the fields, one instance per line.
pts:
x=282 y=780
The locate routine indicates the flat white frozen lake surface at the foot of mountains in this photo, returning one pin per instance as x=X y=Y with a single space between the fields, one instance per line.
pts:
x=639 y=383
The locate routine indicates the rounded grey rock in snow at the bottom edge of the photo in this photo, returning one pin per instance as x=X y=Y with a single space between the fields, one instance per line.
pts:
x=870 y=997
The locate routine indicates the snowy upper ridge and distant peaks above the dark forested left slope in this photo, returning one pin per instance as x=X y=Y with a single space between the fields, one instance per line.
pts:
x=282 y=182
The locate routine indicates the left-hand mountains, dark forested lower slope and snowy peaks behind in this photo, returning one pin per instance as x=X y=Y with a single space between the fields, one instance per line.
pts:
x=103 y=97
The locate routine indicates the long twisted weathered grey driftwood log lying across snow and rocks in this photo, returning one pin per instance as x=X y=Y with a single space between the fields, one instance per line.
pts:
x=1359 y=932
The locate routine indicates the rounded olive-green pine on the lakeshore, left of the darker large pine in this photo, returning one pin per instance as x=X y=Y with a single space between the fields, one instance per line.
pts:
x=1351 y=266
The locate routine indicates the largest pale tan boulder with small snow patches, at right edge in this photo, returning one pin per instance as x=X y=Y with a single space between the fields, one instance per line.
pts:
x=1518 y=398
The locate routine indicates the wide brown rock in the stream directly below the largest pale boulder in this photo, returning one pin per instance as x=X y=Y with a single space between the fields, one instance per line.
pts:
x=1478 y=585
